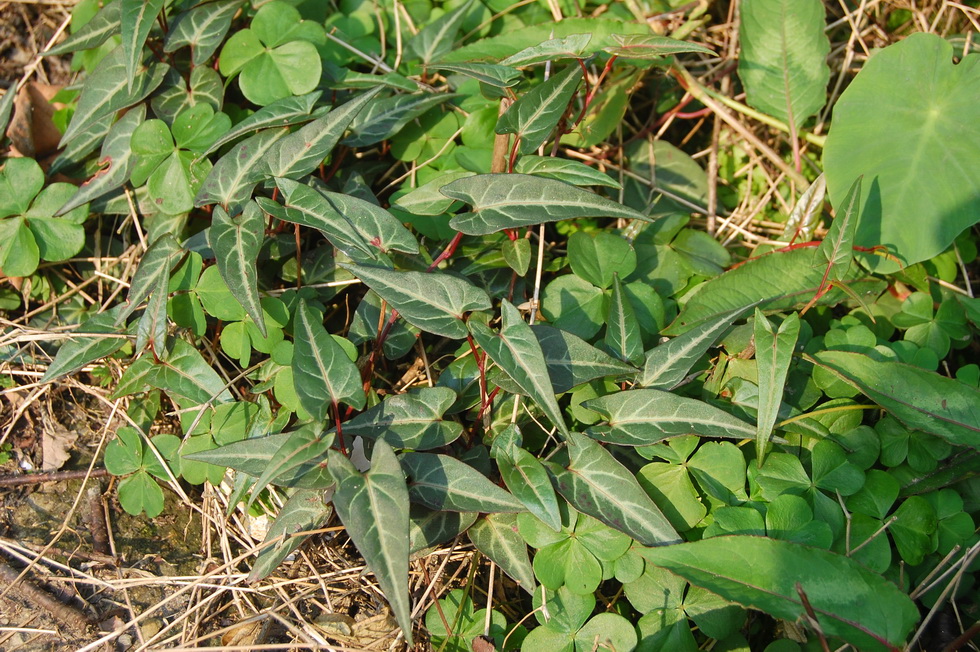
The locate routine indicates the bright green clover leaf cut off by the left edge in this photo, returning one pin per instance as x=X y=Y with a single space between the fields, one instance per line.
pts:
x=29 y=231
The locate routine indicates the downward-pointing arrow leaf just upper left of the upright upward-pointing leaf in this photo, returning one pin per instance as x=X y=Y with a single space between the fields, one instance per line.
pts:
x=236 y=242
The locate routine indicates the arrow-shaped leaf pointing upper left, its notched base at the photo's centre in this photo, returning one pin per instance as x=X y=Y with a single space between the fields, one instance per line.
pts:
x=433 y=302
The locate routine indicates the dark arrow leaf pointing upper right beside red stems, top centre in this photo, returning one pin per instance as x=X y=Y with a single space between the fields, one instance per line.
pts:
x=534 y=116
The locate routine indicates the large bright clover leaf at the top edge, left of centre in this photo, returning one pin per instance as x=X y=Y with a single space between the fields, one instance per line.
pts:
x=276 y=56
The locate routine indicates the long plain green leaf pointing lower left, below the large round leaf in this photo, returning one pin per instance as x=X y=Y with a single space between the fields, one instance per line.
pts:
x=781 y=280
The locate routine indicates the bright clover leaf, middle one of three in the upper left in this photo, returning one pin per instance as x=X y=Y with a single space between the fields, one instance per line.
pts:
x=167 y=159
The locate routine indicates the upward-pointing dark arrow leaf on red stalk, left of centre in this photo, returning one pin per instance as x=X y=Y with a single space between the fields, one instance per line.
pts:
x=321 y=368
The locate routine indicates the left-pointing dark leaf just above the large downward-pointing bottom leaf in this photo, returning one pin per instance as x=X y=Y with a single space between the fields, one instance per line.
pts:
x=412 y=420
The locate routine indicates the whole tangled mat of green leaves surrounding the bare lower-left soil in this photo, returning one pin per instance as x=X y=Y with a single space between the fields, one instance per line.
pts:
x=596 y=293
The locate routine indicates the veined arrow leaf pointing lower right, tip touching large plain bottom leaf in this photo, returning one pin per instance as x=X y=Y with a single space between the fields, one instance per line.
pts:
x=598 y=485
